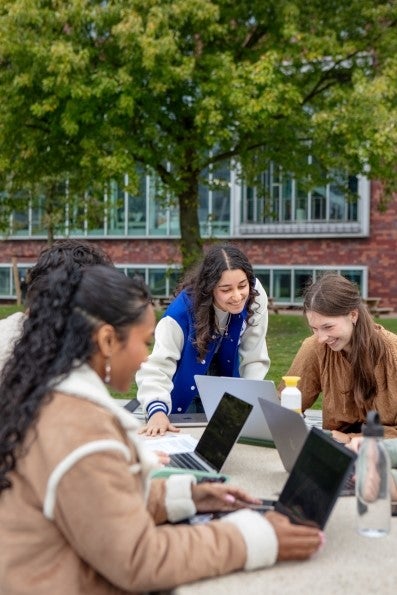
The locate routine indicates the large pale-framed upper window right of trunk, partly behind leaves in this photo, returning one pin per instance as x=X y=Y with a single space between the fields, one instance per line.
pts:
x=281 y=205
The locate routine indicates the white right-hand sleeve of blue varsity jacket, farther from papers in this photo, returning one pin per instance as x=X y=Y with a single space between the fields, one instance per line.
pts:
x=254 y=357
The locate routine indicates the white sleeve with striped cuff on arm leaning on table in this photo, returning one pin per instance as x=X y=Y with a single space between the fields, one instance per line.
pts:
x=154 y=378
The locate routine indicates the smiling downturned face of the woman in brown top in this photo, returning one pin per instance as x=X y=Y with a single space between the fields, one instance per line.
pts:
x=335 y=331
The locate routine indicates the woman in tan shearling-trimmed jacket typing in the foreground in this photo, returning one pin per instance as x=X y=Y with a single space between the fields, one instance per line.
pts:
x=78 y=510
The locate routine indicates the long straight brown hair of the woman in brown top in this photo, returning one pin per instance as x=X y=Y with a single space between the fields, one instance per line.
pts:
x=334 y=295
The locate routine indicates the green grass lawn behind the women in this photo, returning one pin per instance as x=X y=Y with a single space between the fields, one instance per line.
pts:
x=285 y=334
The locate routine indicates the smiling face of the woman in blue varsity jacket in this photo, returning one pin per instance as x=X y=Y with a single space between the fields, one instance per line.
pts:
x=231 y=291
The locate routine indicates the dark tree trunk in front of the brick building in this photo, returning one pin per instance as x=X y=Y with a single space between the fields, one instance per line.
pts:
x=191 y=242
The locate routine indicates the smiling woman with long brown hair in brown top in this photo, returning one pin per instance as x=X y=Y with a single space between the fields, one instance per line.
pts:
x=350 y=358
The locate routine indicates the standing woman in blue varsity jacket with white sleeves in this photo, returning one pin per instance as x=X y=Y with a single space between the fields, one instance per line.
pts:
x=216 y=325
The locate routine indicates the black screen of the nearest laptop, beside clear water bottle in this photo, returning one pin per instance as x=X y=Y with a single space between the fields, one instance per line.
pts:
x=316 y=479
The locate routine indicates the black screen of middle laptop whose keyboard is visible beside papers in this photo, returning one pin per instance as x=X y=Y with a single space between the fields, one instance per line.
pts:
x=223 y=430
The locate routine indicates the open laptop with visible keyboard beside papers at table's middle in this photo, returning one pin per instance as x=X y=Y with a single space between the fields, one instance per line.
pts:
x=218 y=438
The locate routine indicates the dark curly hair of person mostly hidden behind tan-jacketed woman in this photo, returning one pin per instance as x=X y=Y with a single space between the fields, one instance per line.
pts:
x=70 y=253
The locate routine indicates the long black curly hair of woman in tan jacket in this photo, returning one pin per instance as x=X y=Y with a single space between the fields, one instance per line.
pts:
x=57 y=336
